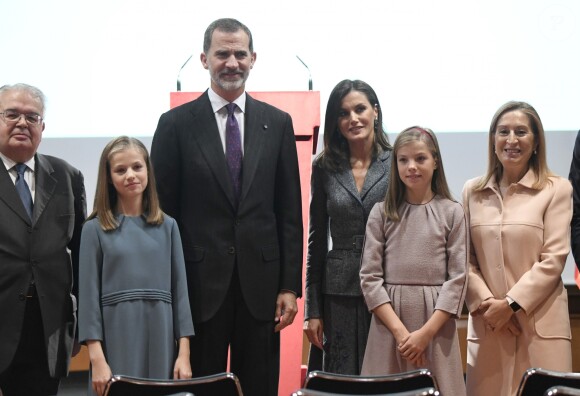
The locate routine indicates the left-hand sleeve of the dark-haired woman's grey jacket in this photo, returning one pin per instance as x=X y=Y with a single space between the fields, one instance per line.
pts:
x=317 y=245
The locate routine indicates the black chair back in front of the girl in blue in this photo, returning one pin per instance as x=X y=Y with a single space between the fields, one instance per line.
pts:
x=224 y=384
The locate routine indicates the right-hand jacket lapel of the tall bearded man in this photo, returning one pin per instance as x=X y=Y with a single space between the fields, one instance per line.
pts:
x=254 y=134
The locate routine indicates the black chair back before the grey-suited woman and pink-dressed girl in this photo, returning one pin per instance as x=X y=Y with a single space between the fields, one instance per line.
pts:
x=369 y=385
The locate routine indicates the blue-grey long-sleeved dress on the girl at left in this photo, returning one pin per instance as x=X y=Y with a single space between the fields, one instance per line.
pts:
x=133 y=295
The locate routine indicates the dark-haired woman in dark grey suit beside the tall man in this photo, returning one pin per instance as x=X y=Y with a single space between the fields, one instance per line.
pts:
x=348 y=178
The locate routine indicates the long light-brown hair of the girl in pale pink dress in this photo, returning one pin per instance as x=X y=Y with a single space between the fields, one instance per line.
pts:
x=396 y=191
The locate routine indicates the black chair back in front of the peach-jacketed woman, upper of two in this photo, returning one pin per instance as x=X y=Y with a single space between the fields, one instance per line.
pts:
x=536 y=381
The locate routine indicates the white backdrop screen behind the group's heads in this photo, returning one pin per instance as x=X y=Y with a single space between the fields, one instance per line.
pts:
x=107 y=66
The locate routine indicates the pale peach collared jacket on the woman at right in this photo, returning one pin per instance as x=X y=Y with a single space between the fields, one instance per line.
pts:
x=519 y=245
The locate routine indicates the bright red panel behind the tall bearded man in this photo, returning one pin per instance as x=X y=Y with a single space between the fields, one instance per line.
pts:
x=304 y=107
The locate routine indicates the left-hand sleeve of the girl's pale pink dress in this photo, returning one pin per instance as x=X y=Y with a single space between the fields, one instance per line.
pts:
x=372 y=273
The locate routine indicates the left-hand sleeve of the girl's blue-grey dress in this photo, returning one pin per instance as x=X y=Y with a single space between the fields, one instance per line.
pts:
x=90 y=275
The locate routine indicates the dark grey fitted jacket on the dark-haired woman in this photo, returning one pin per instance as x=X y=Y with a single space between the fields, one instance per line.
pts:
x=338 y=216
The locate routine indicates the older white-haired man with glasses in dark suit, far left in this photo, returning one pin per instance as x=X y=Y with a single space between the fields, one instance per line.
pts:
x=42 y=208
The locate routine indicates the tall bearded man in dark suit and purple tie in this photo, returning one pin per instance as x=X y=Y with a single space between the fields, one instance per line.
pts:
x=240 y=219
